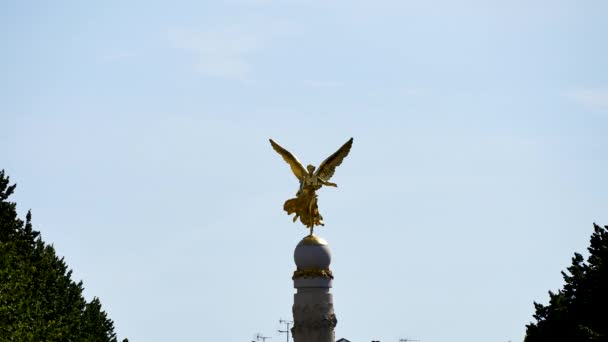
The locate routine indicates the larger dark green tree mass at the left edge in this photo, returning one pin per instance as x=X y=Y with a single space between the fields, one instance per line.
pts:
x=38 y=299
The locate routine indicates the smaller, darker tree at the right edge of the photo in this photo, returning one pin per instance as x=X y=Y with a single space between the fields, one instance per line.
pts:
x=579 y=311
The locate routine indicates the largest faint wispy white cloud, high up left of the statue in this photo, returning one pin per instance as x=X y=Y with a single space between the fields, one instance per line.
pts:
x=222 y=53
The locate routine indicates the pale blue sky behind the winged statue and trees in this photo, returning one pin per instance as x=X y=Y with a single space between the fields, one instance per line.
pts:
x=138 y=134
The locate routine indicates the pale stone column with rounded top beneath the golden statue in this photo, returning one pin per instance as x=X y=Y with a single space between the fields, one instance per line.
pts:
x=313 y=305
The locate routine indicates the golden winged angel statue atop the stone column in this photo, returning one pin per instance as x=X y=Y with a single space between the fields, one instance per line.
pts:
x=304 y=205
